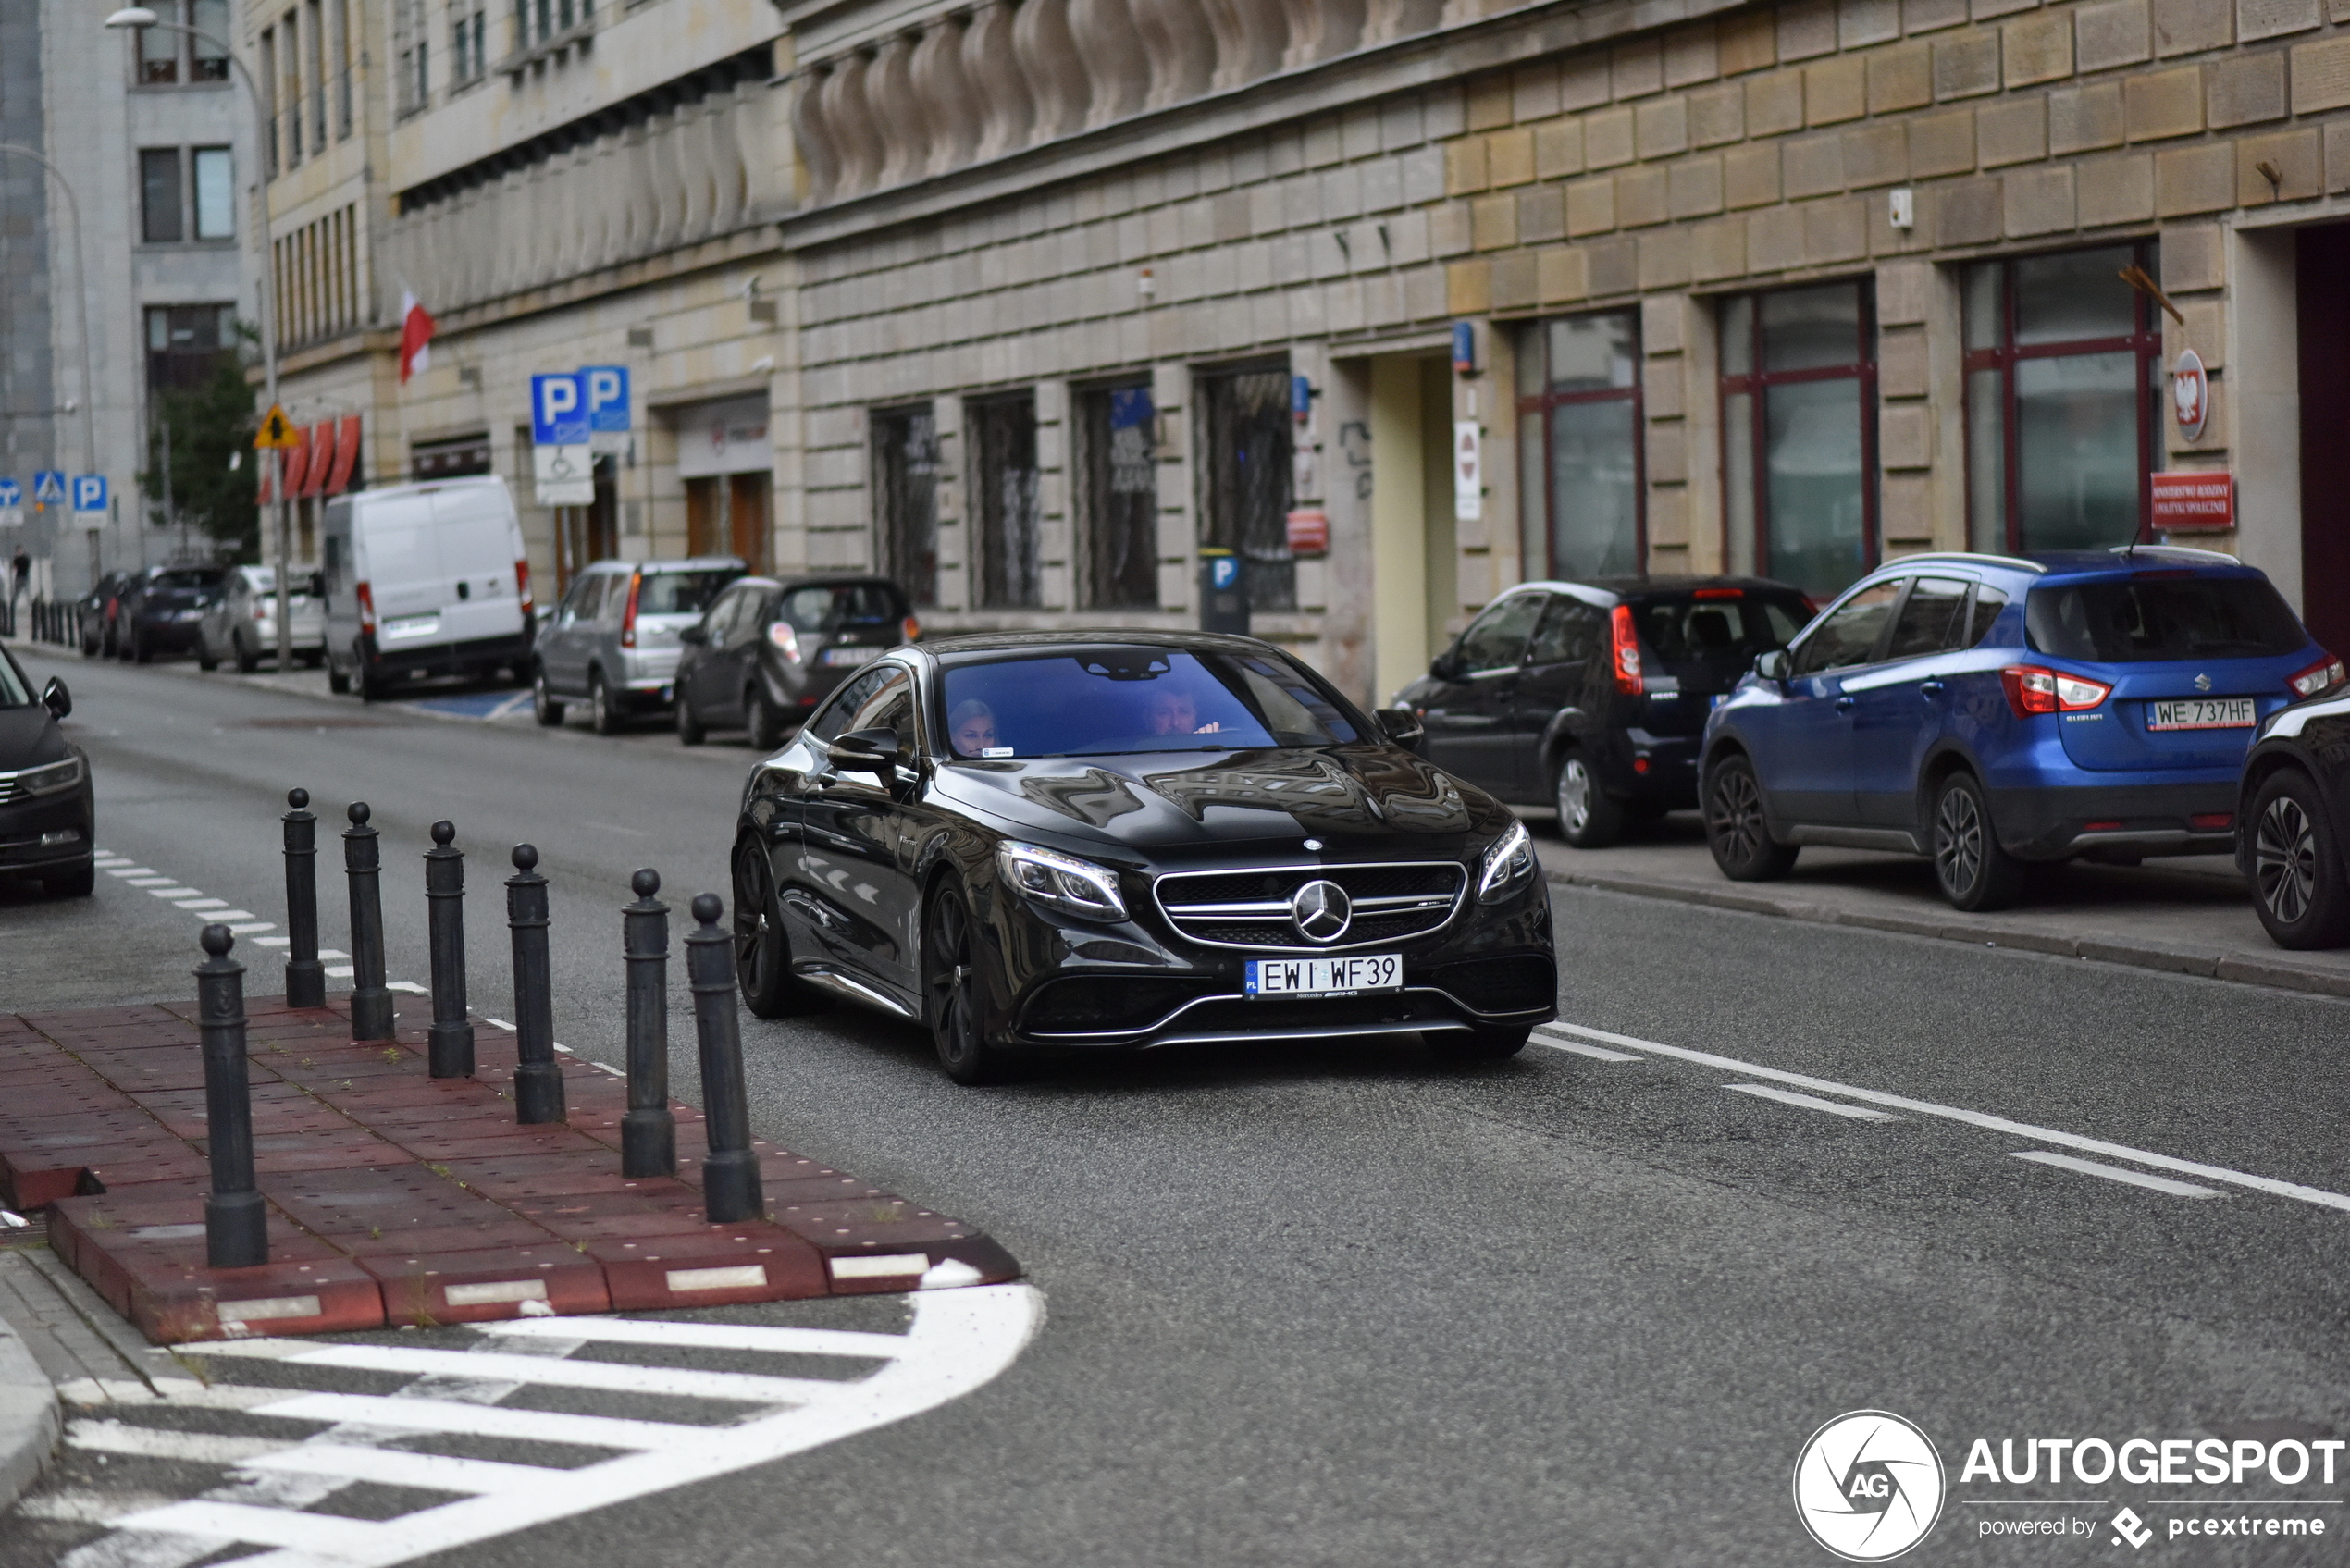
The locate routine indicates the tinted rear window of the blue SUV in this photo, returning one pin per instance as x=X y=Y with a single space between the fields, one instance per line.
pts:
x=2156 y=617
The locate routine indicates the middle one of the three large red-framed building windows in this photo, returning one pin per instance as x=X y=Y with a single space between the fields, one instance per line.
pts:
x=1801 y=436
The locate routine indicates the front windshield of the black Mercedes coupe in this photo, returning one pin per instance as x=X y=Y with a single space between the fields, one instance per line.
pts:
x=1136 y=699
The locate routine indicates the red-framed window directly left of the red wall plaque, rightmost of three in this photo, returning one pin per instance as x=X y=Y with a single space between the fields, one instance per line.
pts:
x=2064 y=401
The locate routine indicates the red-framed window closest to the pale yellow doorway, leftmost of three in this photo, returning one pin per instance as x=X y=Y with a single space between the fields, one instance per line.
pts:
x=1580 y=445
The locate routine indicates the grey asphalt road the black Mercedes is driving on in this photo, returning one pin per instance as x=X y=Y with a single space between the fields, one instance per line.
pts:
x=1343 y=1306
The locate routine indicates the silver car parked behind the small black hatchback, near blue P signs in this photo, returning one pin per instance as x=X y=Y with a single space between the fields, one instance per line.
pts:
x=615 y=636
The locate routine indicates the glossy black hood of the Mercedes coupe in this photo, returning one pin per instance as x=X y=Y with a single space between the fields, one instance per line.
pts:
x=1355 y=798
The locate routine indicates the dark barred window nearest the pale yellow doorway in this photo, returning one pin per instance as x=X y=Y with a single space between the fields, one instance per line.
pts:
x=1244 y=422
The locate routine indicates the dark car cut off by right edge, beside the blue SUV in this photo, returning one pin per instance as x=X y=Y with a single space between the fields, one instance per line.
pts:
x=2292 y=815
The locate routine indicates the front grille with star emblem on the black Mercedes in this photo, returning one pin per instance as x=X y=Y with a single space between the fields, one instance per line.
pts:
x=1254 y=909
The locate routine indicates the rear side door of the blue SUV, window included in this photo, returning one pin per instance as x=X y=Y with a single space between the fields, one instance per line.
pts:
x=1902 y=702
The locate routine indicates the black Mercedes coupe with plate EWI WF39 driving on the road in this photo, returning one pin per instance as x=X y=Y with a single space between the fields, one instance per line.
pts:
x=1129 y=840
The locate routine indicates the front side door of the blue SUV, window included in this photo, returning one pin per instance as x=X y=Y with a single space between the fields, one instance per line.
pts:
x=1804 y=742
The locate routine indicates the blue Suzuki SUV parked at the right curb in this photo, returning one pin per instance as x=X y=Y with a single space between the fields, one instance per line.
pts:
x=1989 y=711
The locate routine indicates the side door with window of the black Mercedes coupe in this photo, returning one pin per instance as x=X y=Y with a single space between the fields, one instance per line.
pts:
x=859 y=894
